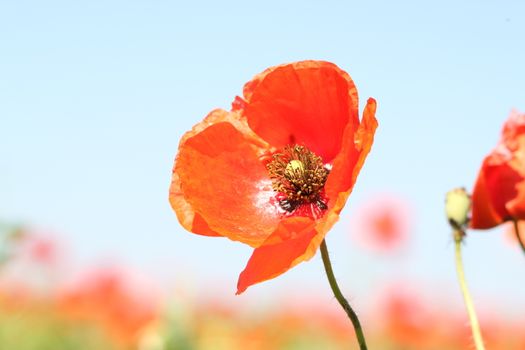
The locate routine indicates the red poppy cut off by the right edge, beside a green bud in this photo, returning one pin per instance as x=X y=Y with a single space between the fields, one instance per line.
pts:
x=499 y=193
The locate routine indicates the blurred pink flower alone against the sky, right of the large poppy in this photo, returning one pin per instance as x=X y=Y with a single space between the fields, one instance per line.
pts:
x=383 y=223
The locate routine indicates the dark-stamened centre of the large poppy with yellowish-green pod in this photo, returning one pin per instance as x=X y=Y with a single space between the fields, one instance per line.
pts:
x=299 y=176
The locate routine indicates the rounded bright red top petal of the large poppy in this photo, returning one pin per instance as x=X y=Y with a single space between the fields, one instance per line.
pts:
x=309 y=102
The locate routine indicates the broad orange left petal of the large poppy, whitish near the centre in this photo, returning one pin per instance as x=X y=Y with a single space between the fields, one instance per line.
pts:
x=219 y=185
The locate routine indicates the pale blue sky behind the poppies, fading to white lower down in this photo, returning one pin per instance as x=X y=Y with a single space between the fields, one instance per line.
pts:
x=94 y=97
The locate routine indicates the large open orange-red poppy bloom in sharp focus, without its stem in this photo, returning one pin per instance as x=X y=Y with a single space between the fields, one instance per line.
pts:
x=276 y=170
